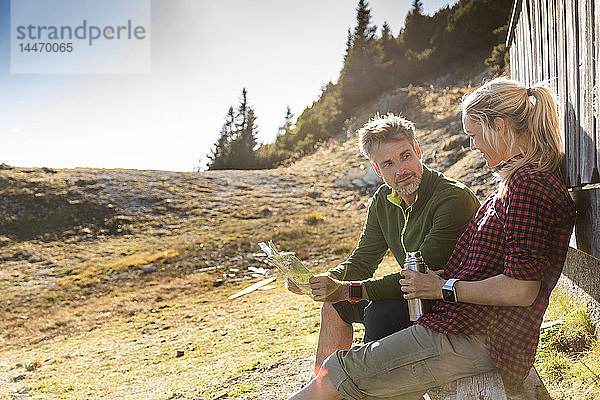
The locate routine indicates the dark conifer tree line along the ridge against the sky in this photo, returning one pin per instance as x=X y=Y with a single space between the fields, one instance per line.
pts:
x=375 y=61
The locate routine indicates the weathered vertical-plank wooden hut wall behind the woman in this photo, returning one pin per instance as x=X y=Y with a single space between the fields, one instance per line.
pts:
x=558 y=42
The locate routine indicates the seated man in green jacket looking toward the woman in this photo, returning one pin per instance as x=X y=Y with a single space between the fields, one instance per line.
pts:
x=417 y=209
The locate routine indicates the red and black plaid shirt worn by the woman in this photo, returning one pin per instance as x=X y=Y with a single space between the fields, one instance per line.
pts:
x=522 y=231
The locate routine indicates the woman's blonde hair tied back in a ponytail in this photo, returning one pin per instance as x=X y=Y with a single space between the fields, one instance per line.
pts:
x=532 y=119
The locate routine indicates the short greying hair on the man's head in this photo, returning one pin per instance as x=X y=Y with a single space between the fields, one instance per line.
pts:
x=382 y=129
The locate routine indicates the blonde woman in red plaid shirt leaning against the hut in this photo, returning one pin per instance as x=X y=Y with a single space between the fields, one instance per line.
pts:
x=494 y=290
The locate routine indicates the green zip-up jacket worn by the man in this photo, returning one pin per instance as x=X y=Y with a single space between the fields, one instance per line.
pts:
x=432 y=224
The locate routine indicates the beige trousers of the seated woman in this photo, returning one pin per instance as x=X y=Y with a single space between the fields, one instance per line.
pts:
x=404 y=365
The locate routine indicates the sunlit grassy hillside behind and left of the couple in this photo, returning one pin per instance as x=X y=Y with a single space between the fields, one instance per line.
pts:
x=114 y=283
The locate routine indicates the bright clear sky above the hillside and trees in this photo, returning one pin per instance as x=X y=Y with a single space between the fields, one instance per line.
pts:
x=203 y=53
